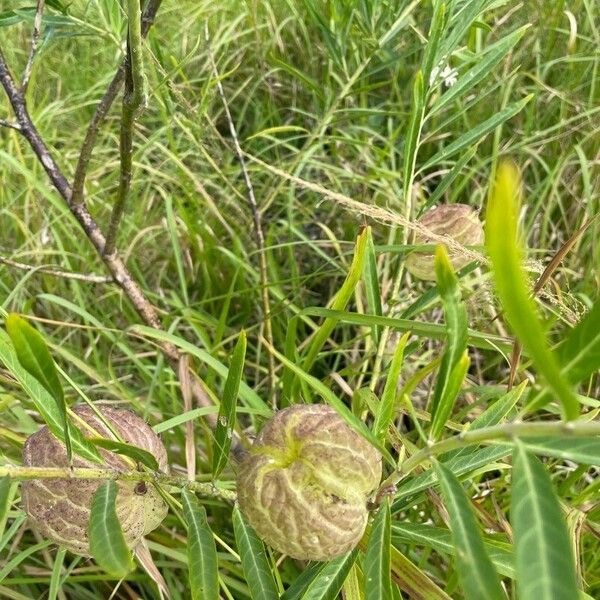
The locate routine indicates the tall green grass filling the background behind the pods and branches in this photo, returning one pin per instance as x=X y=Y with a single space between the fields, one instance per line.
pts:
x=322 y=97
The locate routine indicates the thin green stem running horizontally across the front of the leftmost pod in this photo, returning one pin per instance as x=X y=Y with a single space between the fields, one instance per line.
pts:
x=204 y=489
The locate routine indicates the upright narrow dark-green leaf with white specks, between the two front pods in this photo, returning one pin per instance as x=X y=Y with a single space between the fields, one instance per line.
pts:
x=227 y=410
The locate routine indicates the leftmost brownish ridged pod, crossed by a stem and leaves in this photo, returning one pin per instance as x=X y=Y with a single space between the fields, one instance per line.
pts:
x=60 y=508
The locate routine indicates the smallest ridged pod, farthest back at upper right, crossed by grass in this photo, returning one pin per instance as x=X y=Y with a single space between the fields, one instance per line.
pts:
x=459 y=222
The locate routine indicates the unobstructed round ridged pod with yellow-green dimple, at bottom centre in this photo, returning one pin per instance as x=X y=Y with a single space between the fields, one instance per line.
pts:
x=305 y=485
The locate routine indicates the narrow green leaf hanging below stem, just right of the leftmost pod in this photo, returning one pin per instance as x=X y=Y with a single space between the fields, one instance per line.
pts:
x=203 y=567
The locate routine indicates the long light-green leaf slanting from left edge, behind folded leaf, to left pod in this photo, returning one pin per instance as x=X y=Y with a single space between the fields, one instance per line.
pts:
x=43 y=401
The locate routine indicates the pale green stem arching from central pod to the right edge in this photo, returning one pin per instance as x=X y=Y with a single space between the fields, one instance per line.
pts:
x=489 y=435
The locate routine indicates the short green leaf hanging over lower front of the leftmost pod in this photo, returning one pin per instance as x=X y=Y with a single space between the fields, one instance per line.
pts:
x=107 y=543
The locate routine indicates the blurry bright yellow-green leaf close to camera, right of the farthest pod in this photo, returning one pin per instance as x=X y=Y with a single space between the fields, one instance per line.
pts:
x=506 y=252
